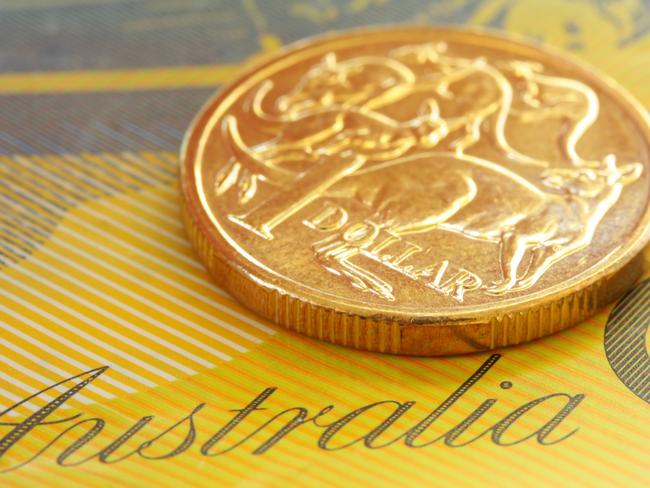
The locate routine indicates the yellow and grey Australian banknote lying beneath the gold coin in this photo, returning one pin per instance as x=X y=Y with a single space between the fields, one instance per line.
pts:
x=121 y=364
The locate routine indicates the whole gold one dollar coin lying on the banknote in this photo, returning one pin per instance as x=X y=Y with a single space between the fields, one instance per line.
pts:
x=419 y=190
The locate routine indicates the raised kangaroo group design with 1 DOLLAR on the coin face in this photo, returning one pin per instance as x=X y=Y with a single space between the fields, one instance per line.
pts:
x=374 y=153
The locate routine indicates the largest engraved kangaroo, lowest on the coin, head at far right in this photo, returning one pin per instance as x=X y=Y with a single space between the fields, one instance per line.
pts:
x=534 y=226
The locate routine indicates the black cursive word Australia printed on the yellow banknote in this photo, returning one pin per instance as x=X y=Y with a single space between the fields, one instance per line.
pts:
x=257 y=427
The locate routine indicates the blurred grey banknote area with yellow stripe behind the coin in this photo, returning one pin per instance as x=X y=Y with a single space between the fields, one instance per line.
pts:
x=126 y=75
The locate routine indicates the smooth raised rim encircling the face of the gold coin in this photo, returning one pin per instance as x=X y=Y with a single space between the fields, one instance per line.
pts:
x=230 y=256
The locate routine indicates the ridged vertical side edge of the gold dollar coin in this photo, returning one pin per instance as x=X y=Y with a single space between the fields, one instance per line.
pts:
x=386 y=335
